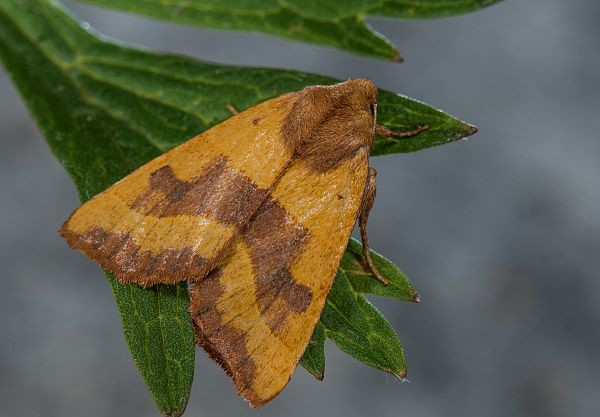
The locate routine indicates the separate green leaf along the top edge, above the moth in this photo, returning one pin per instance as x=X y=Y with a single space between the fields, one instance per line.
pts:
x=340 y=24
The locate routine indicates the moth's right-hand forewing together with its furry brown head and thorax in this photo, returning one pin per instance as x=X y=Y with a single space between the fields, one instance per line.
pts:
x=256 y=313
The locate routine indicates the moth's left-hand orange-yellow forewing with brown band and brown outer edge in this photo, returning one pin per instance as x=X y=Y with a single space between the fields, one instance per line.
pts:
x=175 y=217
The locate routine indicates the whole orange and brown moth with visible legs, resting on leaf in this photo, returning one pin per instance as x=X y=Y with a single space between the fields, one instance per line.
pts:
x=255 y=213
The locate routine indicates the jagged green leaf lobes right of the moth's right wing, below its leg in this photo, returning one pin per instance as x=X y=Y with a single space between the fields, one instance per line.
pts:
x=352 y=323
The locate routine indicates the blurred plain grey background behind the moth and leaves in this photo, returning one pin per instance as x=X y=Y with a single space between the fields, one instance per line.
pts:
x=501 y=233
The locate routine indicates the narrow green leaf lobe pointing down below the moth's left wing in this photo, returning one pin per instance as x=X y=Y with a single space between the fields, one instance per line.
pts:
x=158 y=329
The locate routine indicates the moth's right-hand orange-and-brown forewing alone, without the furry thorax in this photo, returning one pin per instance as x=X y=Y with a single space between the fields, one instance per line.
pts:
x=274 y=283
